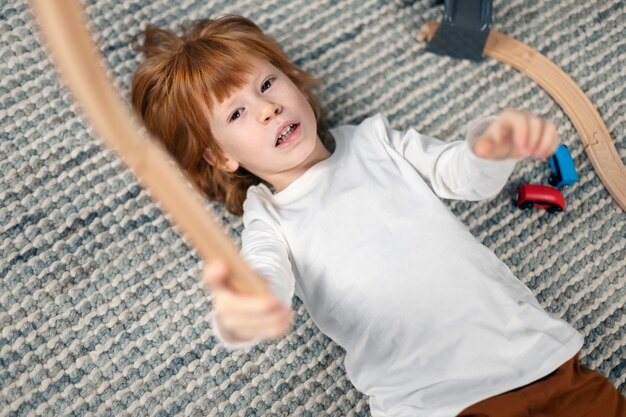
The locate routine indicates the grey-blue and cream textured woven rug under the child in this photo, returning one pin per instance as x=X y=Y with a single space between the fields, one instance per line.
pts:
x=101 y=310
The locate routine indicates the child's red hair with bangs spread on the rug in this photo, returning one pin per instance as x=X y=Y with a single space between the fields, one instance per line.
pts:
x=173 y=88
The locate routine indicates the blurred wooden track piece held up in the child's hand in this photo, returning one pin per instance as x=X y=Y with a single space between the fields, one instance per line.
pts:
x=65 y=30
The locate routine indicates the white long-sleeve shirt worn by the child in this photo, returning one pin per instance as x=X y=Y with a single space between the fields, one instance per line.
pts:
x=430 y=319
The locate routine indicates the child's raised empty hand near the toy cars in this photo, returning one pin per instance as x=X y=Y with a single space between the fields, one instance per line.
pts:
x=516 y=135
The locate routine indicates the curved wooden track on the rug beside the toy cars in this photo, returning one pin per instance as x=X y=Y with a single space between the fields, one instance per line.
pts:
x=585 y=118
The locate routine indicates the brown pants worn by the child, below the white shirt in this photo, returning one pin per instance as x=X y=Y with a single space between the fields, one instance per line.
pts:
x=570 y=391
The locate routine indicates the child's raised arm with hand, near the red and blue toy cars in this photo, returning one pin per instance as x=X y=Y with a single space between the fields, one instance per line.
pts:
x=478 y=167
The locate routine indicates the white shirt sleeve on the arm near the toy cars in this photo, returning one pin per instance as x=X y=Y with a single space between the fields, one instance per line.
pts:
x=452 y=169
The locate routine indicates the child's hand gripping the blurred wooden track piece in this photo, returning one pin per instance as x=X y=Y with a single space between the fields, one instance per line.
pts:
x=244 y=317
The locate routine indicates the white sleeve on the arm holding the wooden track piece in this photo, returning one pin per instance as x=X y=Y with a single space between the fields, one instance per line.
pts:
x=268 y=255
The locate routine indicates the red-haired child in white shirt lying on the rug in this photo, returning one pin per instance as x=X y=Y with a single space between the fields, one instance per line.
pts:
x=431 y=321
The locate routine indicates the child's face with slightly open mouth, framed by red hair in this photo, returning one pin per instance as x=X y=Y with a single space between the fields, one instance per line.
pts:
x=268 y=127
